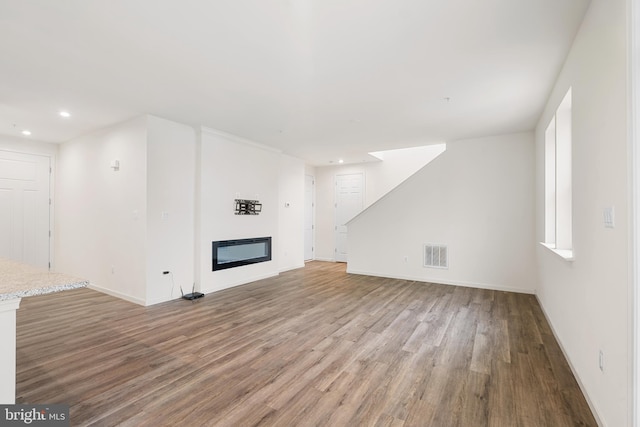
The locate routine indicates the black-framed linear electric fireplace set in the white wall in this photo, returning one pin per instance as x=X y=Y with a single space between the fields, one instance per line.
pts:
x=234 y=253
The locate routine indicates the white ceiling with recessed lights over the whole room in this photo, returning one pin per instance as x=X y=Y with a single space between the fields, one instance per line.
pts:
x=318 y=79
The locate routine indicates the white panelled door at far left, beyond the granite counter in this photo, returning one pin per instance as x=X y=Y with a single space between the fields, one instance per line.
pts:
x=24 y=208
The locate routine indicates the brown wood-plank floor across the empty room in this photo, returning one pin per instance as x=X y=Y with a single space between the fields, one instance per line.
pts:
x=314 y=346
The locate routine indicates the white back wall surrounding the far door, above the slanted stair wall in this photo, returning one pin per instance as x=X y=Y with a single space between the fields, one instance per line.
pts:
x=379 y=178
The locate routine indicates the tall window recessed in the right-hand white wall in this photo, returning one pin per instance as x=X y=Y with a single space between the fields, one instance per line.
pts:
x=557 y=184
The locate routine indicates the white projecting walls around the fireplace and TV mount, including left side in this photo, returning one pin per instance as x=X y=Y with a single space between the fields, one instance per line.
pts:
x=173 y=195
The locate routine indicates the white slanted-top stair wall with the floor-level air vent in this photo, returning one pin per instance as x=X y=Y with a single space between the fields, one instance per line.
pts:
x=476 y=198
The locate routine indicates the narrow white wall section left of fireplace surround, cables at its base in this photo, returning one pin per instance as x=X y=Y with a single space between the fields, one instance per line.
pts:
x=171 y=166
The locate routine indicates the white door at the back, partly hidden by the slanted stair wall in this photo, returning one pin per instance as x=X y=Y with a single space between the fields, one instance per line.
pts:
x=349 y=203
